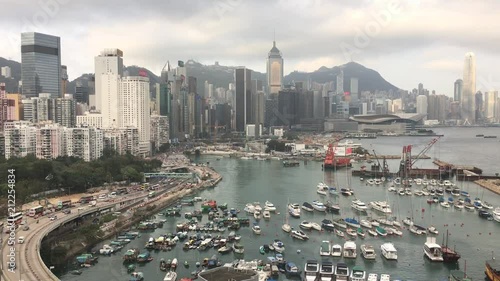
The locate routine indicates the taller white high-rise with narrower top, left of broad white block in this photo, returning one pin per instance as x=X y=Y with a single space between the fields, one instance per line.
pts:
x=108 y=69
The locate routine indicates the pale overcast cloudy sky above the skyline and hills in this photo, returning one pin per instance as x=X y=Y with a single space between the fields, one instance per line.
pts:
x=407 y=41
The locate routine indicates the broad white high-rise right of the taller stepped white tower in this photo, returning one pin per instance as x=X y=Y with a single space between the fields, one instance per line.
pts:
x=134 y=108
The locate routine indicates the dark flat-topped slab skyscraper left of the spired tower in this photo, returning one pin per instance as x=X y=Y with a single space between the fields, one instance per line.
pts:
x=243 y=78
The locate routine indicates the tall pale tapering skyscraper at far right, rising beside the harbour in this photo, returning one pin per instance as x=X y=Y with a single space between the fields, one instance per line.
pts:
x=468 y=110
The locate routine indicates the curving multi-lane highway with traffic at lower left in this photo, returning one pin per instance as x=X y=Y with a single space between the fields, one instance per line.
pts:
x=29 y=265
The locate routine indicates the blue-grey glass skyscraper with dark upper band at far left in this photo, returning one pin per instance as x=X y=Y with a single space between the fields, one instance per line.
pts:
x=41 y=64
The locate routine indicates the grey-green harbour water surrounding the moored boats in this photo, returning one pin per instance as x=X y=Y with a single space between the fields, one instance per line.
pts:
x=257 y=181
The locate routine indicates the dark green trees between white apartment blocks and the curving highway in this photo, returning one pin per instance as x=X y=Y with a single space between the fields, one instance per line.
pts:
x=73 y=174
